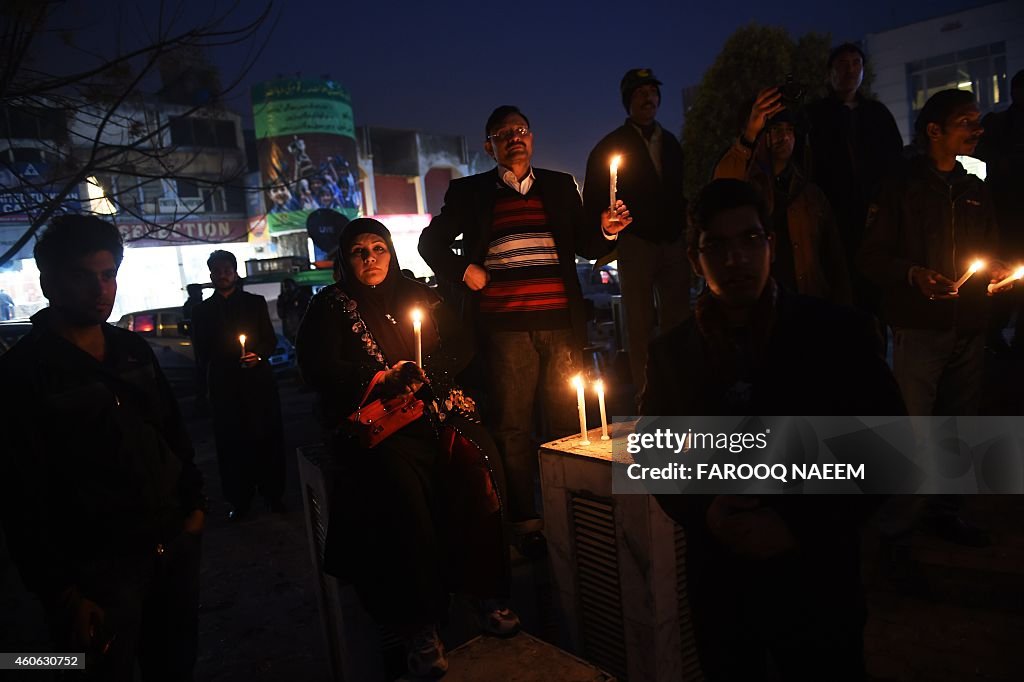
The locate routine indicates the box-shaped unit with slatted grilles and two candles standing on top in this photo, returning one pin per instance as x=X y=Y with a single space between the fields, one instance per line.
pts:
x=618 y=564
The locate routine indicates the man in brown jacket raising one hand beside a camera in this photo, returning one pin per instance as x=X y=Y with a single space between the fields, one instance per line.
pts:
x=809 y=257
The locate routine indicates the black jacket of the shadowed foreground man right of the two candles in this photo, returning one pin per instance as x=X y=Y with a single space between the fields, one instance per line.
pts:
x=820 y=360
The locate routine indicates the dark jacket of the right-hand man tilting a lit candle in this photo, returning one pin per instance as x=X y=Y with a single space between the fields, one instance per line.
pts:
x=921 y=219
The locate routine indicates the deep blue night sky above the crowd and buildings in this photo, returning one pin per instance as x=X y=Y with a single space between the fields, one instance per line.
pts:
x=443 y=67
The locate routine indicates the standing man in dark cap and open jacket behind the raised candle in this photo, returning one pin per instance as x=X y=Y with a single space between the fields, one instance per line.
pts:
x=653 y=253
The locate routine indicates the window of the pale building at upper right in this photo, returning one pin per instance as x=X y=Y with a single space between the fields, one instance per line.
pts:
x=982 y=70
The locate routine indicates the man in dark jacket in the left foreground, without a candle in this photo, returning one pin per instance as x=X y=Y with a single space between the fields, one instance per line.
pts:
x=102 y=504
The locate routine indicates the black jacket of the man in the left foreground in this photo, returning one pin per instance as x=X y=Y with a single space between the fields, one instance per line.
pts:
x=97 y=460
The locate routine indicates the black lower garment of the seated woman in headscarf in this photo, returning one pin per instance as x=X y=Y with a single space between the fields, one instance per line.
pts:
x=409 y=527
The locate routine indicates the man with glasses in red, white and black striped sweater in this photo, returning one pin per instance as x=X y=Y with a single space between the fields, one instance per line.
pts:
x=522 y=231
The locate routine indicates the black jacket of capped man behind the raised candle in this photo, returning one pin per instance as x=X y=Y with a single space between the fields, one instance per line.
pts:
x=657 y=204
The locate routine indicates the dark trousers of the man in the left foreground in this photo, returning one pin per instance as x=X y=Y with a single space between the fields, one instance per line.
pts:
x=151 y=615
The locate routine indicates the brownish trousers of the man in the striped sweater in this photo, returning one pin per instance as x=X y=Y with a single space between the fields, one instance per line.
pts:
x=526 y=369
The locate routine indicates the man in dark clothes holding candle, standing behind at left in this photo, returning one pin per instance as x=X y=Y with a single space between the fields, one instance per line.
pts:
x=242 y=391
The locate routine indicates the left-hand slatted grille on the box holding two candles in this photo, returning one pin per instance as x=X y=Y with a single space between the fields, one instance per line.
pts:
x=602 y=627
